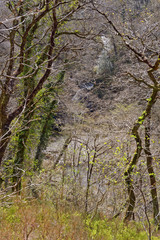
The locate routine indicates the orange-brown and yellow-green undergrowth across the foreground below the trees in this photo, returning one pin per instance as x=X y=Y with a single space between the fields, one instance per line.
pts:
x=37 y=219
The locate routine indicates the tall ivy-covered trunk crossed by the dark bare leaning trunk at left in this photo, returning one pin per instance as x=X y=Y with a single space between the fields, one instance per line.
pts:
x=28 y=86
